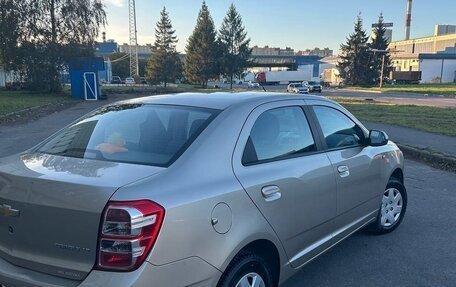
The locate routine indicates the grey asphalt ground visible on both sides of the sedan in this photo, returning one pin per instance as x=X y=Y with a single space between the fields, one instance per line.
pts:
x=421 y=252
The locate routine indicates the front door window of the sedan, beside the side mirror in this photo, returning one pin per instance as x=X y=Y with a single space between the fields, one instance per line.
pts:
x=338 y=129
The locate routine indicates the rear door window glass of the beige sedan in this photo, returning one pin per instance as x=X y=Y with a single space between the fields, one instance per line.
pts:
x=278 y=133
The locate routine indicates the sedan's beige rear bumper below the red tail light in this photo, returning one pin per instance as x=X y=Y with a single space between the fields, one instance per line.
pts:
x=192 y=271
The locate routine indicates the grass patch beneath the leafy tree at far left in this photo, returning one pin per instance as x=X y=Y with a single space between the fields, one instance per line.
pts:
x=13 y=101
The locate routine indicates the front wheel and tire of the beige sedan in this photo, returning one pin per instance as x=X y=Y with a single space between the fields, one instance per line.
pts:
x=392 y=209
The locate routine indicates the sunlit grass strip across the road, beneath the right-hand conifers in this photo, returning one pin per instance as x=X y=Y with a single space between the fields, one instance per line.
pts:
x=431 y=89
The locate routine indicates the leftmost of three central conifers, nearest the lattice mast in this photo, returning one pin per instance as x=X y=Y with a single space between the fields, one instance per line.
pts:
x=164 y=64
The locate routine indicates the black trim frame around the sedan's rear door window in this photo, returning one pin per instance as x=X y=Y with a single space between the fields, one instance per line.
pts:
x=315 y=136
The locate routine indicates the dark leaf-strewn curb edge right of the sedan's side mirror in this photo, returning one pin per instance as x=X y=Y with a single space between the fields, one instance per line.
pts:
x=435 y=159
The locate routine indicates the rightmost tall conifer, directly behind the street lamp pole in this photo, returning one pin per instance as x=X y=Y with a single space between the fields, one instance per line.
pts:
x=379 y=42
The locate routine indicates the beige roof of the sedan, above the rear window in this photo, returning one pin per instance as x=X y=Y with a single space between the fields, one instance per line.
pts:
x=221 y=100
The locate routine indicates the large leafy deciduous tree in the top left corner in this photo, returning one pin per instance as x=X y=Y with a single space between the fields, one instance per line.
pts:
x=46 y=35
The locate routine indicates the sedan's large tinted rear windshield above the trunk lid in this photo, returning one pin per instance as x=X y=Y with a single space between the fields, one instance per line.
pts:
x=132 y=133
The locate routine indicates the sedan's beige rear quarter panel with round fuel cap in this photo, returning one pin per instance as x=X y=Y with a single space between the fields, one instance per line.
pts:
x=191 y=188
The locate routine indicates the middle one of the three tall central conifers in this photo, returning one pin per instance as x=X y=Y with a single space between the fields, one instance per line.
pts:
x=201 y=50
